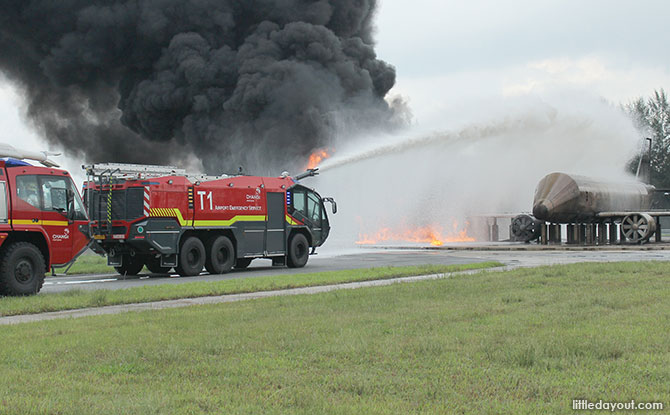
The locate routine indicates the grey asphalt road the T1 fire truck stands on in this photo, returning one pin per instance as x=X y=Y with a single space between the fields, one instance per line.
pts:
x=361 y=258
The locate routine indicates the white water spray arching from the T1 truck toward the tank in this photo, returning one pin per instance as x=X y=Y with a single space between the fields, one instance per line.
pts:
x=434 y=180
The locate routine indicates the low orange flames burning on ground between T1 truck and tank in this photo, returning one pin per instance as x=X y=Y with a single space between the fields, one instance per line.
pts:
x=435 y=235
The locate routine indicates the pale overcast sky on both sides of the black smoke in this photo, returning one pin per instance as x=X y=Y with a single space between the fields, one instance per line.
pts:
x=452 y=52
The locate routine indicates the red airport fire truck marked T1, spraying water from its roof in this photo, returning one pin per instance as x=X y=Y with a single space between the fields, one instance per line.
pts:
x=164 y=218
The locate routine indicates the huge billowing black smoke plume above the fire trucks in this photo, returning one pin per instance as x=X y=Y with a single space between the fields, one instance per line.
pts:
x=255 y=82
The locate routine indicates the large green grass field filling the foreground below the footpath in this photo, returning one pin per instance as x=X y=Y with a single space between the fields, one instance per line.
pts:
x=520 y=342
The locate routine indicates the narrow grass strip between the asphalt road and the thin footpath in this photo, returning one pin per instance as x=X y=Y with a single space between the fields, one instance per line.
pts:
x=75 y=299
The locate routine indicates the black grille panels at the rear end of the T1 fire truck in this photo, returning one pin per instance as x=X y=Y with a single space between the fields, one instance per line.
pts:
x=127 y=204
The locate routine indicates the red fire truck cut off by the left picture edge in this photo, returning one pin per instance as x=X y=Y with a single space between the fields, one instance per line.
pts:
x=42 y=220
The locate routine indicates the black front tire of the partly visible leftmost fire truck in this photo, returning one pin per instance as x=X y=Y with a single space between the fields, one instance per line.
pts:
x=22 y=269
